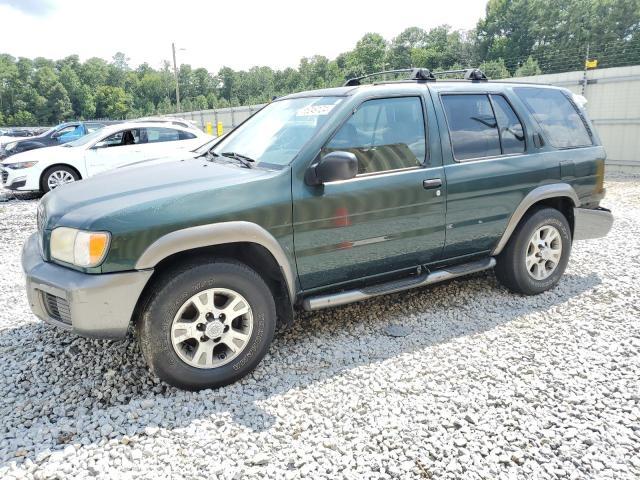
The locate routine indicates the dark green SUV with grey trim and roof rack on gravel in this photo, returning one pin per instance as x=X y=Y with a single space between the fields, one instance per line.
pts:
x=319 y=199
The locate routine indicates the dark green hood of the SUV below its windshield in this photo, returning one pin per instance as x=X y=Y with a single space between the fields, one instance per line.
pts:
x=122 y=198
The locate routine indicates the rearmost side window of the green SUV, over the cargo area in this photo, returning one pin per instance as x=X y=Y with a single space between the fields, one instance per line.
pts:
x=556 y=115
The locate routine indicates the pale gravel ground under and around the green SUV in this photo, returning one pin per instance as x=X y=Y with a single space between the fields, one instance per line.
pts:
x=477 y=383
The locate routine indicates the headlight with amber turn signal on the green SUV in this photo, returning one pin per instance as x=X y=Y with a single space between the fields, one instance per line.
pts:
x=78 y=247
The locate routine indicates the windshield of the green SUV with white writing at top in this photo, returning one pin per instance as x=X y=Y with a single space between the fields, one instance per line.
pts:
x=276 y=133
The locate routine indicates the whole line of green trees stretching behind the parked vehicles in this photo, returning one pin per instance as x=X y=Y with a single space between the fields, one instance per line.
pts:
x=514 y=38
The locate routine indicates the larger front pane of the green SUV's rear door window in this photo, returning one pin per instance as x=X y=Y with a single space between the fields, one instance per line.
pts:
x=472 y=125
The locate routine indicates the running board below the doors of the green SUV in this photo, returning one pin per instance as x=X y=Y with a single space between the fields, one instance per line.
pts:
x=350 y=296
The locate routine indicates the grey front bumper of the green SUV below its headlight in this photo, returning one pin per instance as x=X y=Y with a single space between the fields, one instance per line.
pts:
x=97 y=306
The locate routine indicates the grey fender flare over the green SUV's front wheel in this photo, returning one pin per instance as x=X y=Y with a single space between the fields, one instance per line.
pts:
x=217 y=234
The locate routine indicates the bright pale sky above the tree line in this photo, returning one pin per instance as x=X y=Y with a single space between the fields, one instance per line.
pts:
x=212 y=34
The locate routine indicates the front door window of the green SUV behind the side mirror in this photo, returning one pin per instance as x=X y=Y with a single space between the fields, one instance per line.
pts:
x=384 y=134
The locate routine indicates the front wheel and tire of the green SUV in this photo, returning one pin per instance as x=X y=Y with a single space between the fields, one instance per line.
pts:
x=175 y=309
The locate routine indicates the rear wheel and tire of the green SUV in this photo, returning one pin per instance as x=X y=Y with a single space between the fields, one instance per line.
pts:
x=531 y=265
